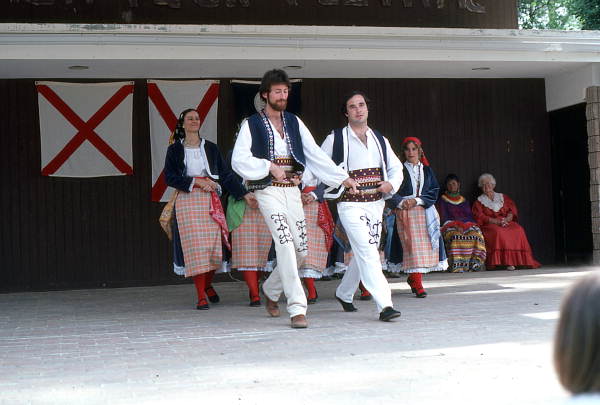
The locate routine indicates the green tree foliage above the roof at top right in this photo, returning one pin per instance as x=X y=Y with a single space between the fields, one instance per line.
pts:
x=550 y=14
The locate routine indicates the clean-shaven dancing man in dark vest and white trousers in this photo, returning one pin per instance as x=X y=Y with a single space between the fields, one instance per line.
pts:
x=370 y=160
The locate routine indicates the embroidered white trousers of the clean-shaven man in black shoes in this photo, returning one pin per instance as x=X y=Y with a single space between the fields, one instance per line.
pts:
x=363 y=224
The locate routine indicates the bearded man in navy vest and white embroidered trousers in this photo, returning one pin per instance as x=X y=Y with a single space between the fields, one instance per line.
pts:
x=272 y=148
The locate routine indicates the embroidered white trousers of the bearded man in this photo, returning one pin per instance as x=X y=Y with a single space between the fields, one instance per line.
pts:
x=284 y=215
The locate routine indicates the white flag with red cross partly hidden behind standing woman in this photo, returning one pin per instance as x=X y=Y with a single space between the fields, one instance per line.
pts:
x=166 y=100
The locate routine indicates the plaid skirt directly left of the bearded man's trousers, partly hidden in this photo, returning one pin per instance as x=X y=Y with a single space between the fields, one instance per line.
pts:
x=251 y=241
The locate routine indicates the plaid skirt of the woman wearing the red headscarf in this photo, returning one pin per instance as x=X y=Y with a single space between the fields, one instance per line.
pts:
x=416 y=245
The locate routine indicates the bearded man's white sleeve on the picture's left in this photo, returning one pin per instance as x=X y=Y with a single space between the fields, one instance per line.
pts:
x=242 y=160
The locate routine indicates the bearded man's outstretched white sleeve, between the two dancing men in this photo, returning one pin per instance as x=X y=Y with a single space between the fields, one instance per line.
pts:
x=317 y=160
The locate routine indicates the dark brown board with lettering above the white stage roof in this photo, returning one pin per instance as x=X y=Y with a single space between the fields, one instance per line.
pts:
x=398 y=13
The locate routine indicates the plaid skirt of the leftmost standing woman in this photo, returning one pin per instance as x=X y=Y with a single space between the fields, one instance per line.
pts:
x=200 y=234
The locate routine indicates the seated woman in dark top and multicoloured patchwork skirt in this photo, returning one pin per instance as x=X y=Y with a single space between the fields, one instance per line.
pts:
x=463 y=239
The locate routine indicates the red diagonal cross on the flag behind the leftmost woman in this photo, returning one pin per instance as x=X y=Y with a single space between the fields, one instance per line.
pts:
x=170 y=119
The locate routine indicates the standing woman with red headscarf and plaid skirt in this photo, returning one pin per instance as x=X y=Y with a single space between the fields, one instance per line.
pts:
x=416 y=246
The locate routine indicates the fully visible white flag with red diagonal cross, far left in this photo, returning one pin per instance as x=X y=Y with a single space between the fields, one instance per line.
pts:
x=85 y=128
